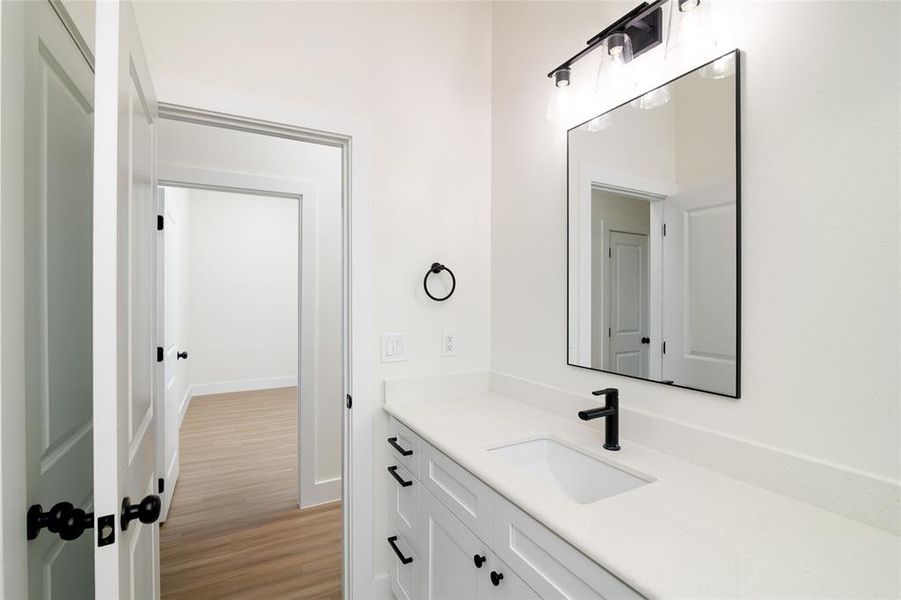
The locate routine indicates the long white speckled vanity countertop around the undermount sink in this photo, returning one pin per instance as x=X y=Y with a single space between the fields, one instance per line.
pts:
x=691 y=533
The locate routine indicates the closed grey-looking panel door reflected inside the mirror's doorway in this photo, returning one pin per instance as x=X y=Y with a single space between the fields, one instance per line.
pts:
x=627 y=289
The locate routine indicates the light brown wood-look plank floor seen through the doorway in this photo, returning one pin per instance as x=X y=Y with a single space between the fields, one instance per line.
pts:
x=234 y=529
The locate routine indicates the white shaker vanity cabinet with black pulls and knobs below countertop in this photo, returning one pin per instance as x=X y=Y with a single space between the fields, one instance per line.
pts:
x=453 y=537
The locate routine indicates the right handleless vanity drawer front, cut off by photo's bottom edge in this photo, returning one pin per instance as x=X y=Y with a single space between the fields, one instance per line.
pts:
x=546 y=563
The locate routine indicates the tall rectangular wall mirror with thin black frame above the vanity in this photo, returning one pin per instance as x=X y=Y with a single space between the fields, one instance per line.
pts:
x=654 y=235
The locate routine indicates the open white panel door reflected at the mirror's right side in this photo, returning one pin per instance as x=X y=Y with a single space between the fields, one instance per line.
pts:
x=699 y=287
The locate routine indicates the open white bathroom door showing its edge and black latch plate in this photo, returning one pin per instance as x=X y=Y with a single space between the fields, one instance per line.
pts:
x=124 y=286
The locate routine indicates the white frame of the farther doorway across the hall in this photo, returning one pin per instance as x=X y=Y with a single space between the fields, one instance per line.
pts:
x=309 y=491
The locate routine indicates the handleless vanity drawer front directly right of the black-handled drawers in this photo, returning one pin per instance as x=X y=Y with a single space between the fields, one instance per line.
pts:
x=464 y=495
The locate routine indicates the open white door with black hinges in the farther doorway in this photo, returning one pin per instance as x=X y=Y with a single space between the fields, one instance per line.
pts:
x=172 y=373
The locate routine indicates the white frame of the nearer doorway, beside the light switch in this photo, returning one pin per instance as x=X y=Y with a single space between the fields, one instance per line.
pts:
x=358 y=578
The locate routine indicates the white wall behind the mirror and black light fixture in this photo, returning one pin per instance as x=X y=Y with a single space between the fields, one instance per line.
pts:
x=820 y=183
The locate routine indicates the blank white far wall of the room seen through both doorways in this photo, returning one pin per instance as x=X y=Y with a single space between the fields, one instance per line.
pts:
x=242 y=309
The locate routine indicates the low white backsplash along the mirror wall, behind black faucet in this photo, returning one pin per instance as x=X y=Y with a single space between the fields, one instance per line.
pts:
x=855 y=494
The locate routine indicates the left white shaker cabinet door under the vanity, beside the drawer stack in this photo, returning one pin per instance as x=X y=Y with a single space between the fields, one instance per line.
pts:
x=449 y=556
